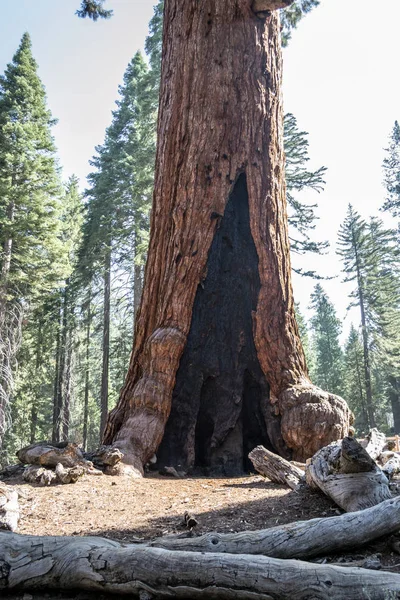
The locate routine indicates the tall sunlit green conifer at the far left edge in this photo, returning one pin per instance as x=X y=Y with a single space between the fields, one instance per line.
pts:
x=29 y=204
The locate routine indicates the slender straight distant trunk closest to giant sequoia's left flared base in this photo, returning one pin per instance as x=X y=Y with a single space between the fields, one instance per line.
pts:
x=106 y=341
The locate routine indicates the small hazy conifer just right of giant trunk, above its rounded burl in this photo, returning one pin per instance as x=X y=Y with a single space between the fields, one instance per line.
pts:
x=328 y=371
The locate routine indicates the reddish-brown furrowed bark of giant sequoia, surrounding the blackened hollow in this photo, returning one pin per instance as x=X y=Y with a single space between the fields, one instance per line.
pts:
x=220 y=117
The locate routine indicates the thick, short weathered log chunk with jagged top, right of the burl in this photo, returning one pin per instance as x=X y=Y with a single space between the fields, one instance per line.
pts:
x=345 y=472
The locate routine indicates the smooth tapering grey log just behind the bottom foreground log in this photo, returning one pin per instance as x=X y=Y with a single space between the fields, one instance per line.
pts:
x=302 y=539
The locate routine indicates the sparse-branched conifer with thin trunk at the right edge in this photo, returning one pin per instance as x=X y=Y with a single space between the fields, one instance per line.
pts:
x=369 y=256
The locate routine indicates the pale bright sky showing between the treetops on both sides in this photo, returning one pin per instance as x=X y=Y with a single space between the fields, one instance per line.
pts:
x=340 y=81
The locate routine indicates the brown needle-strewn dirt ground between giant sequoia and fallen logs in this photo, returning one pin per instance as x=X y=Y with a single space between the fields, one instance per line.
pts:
x=126 y=509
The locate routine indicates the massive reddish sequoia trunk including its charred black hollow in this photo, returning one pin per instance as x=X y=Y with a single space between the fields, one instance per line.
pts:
x=217 y=352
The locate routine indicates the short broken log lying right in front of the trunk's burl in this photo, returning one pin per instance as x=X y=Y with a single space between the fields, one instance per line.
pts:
x=276 y=468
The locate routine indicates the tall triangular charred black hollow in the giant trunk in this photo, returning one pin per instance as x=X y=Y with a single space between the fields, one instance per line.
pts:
x=220 y=405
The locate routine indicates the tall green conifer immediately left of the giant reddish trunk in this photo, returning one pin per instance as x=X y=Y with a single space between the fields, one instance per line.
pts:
x=117 y=222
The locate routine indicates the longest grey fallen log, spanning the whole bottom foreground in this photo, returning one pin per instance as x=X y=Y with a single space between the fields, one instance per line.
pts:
x=30 y=562
